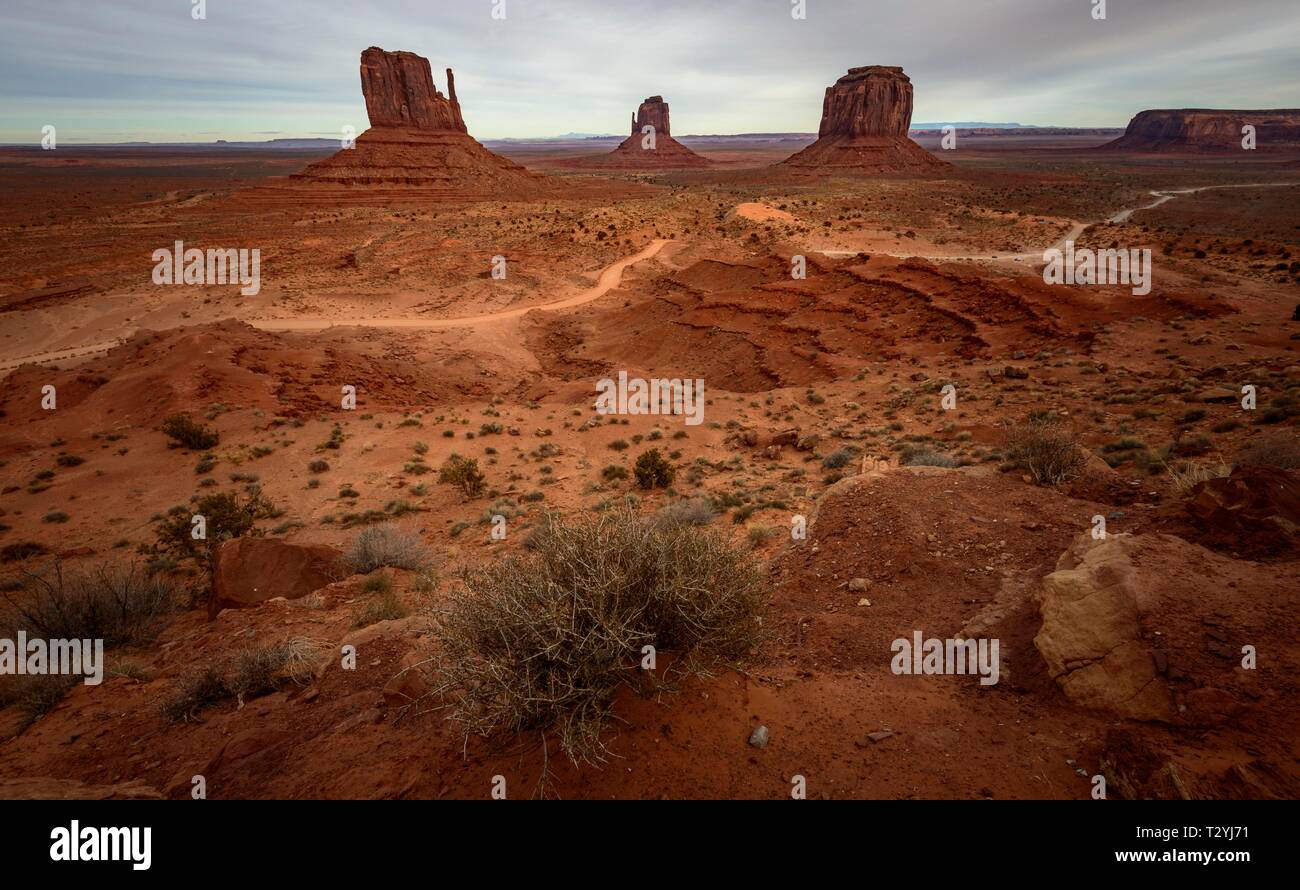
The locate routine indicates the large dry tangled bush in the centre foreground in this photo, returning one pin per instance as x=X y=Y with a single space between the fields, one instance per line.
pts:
x=544 y=641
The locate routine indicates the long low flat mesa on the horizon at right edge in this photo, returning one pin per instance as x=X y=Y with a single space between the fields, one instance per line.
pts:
x=1197 y=131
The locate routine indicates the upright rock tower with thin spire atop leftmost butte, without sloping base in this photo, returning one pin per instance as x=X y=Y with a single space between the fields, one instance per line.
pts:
x=400 y=93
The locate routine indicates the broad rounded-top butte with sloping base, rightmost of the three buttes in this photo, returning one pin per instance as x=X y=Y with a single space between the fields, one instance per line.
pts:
x=865 y=120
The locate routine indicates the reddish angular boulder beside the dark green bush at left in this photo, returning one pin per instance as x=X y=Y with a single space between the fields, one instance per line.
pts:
x=252 y=571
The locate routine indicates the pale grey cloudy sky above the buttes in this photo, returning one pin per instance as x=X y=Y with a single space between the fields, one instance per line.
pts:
x=118 y=71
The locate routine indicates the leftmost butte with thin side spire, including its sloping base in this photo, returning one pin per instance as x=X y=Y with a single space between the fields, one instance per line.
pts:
x=418 y=144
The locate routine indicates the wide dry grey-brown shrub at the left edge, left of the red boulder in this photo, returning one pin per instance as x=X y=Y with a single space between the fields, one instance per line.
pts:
x=116 y=604
